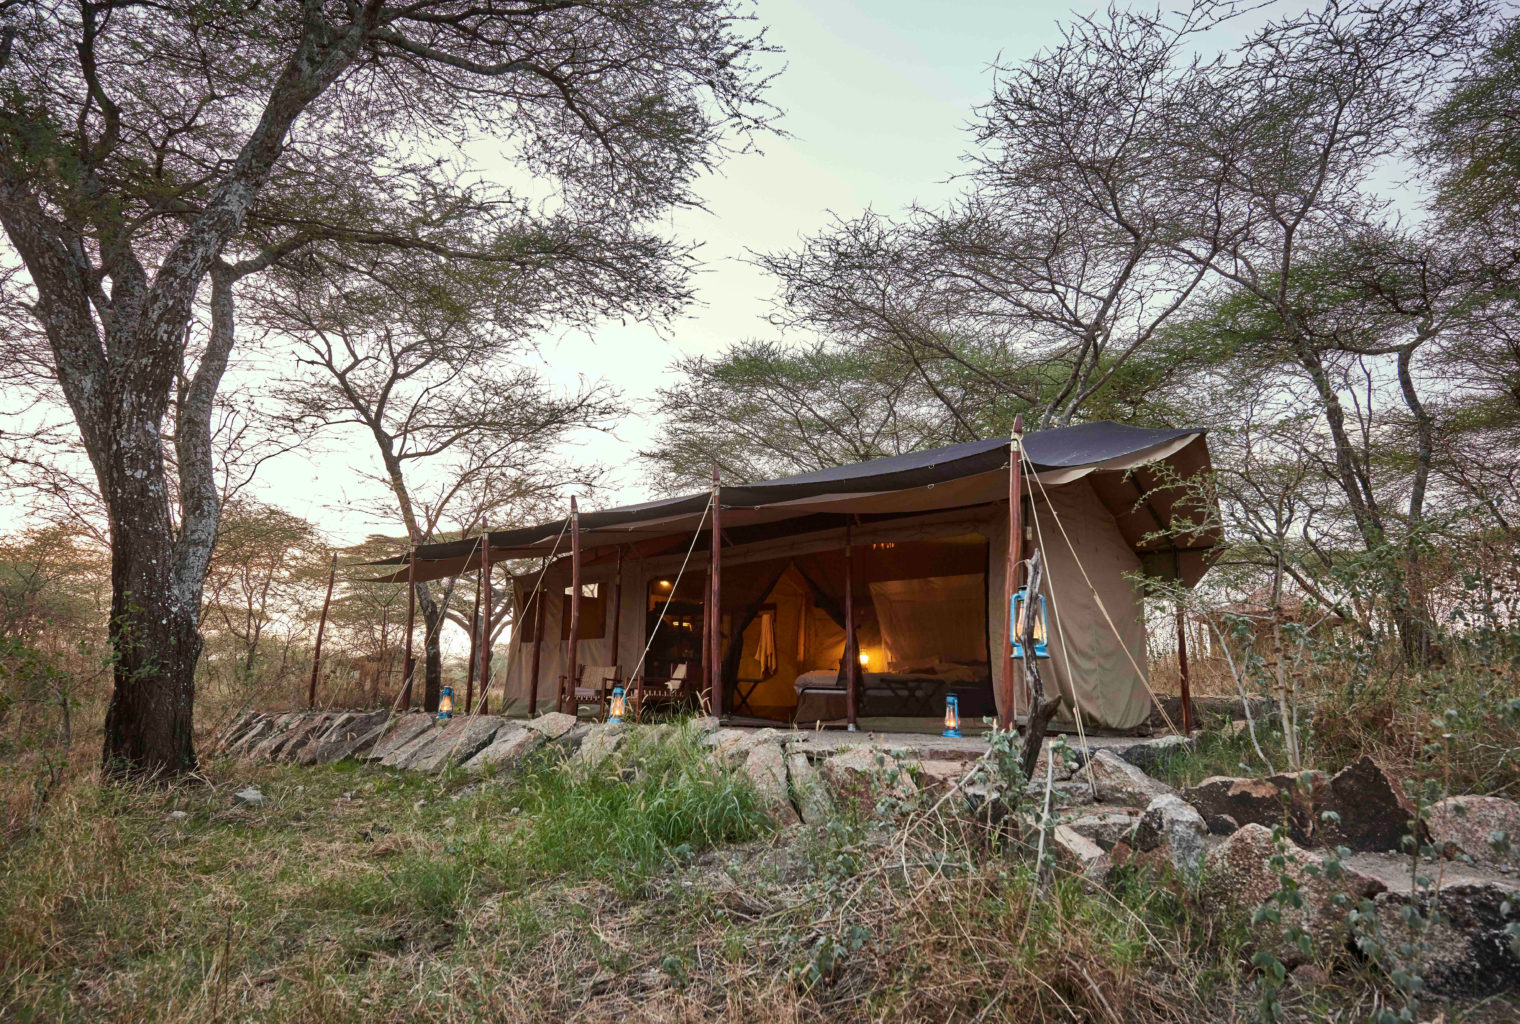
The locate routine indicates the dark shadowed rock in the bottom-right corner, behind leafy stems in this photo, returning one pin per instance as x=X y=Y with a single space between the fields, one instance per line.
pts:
x=1469 y=947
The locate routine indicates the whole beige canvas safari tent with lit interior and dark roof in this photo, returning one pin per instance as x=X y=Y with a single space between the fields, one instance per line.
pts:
x=907 y=555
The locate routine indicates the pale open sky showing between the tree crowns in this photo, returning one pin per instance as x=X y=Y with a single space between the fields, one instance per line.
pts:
x=876 y=98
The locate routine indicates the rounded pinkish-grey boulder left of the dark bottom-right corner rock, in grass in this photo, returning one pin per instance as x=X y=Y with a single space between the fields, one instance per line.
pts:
x=1238 y=874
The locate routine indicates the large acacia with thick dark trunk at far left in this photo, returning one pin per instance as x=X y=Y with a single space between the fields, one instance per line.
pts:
x=139 y=142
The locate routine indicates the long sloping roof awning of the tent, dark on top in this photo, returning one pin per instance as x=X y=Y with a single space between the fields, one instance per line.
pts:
x=1162 y=513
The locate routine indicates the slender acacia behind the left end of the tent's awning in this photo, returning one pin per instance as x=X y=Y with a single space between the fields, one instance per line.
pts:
x=425 y=359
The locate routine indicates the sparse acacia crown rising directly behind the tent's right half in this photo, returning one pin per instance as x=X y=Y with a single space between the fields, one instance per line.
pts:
x=1060 y=262
